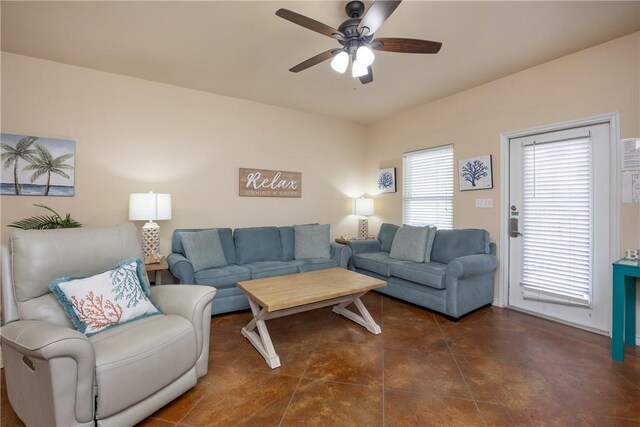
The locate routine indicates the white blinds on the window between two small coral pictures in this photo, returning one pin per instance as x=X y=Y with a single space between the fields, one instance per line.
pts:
x=428 y=187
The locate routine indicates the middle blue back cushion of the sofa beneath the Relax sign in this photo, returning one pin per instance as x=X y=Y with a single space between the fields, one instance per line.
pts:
x=257 y=244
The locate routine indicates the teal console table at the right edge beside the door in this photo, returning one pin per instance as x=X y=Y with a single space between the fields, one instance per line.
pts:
x=623 y=329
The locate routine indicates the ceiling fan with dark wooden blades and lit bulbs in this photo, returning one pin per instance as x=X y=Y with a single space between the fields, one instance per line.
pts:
x=356 y=37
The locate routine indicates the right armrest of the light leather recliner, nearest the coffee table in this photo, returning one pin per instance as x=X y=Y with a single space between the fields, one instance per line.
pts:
x=194 y=303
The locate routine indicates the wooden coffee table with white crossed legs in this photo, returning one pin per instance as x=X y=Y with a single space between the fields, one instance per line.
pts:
x=294 y=293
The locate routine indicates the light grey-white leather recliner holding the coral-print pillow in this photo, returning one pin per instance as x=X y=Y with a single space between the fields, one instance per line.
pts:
x=58 y=376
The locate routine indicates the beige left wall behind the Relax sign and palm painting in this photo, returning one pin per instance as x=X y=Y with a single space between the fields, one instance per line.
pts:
x=134 y=135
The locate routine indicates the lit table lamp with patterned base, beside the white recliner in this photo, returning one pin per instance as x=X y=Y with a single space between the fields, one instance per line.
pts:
x=150 y=207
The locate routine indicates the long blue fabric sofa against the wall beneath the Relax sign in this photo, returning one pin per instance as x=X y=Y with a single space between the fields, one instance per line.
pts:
x=250 y=253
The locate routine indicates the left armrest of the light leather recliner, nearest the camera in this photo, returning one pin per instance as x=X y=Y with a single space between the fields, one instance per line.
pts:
x=43 y=358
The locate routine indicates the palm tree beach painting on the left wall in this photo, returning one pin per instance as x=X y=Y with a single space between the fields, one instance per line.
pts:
x=36 y=166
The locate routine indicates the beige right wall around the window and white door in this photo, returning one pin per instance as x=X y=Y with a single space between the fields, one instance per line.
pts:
x=599 y=80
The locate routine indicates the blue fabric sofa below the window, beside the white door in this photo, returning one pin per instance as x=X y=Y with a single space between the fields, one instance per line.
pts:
x=459 y=277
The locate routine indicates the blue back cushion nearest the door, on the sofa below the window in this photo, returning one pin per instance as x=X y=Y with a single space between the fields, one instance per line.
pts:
x=451 y=244
